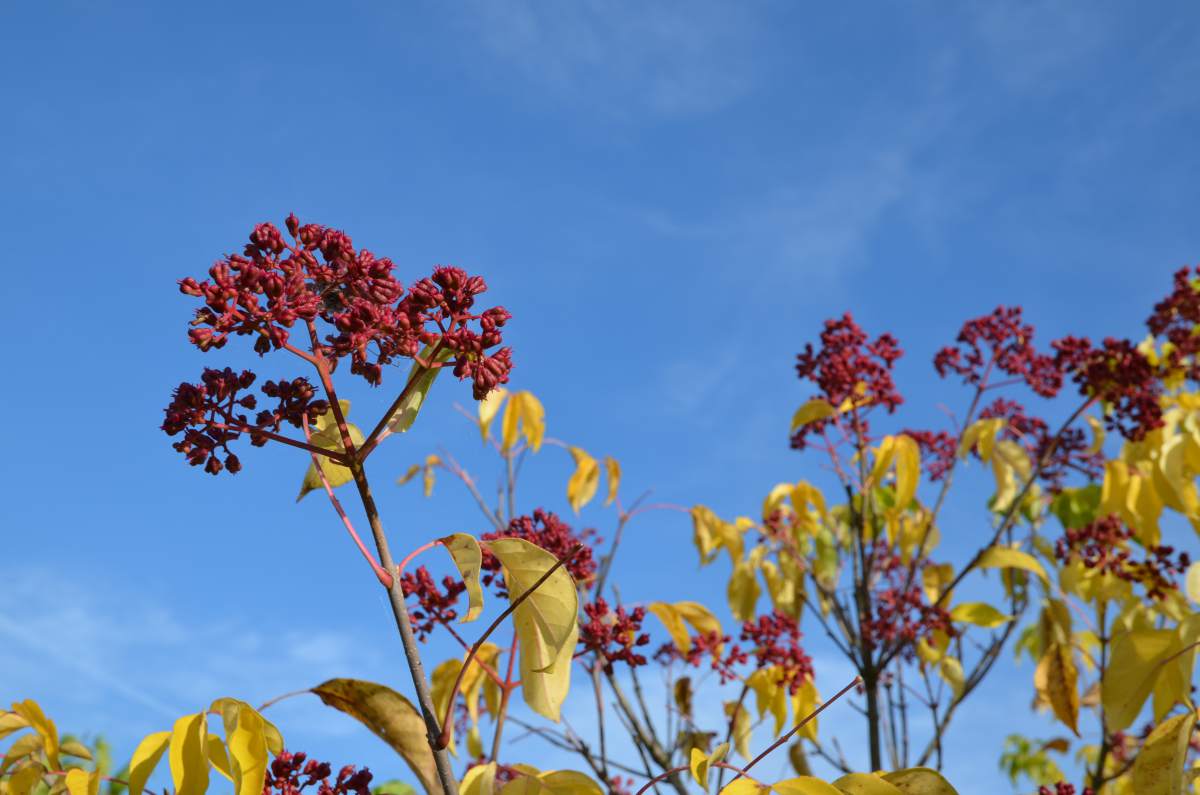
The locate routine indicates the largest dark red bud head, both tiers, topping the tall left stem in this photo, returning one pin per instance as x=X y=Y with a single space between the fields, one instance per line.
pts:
x=275 y=286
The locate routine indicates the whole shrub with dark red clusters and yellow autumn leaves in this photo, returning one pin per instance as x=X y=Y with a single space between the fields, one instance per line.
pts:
x=1094 y=585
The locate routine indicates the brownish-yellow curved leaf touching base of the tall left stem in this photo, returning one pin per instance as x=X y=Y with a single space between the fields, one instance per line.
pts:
x=392 y=719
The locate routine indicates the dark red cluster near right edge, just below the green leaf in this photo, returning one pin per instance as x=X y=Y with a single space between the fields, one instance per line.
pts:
x=1105 y=546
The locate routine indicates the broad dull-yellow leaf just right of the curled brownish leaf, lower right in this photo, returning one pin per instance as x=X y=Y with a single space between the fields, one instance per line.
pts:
x=1135 y=666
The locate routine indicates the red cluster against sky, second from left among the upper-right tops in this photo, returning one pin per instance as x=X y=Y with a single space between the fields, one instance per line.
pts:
x=1000 y=342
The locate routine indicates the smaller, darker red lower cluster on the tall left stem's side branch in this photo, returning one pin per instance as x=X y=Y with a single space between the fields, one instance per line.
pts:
x=209 y=415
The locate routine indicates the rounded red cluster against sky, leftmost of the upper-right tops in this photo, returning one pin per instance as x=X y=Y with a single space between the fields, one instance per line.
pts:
x=848 y=358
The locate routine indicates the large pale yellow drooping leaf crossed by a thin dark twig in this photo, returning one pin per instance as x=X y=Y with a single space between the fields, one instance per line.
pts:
x=545 y=623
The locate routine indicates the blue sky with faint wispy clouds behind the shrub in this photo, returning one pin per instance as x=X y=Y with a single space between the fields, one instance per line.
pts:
x=669 y=198
